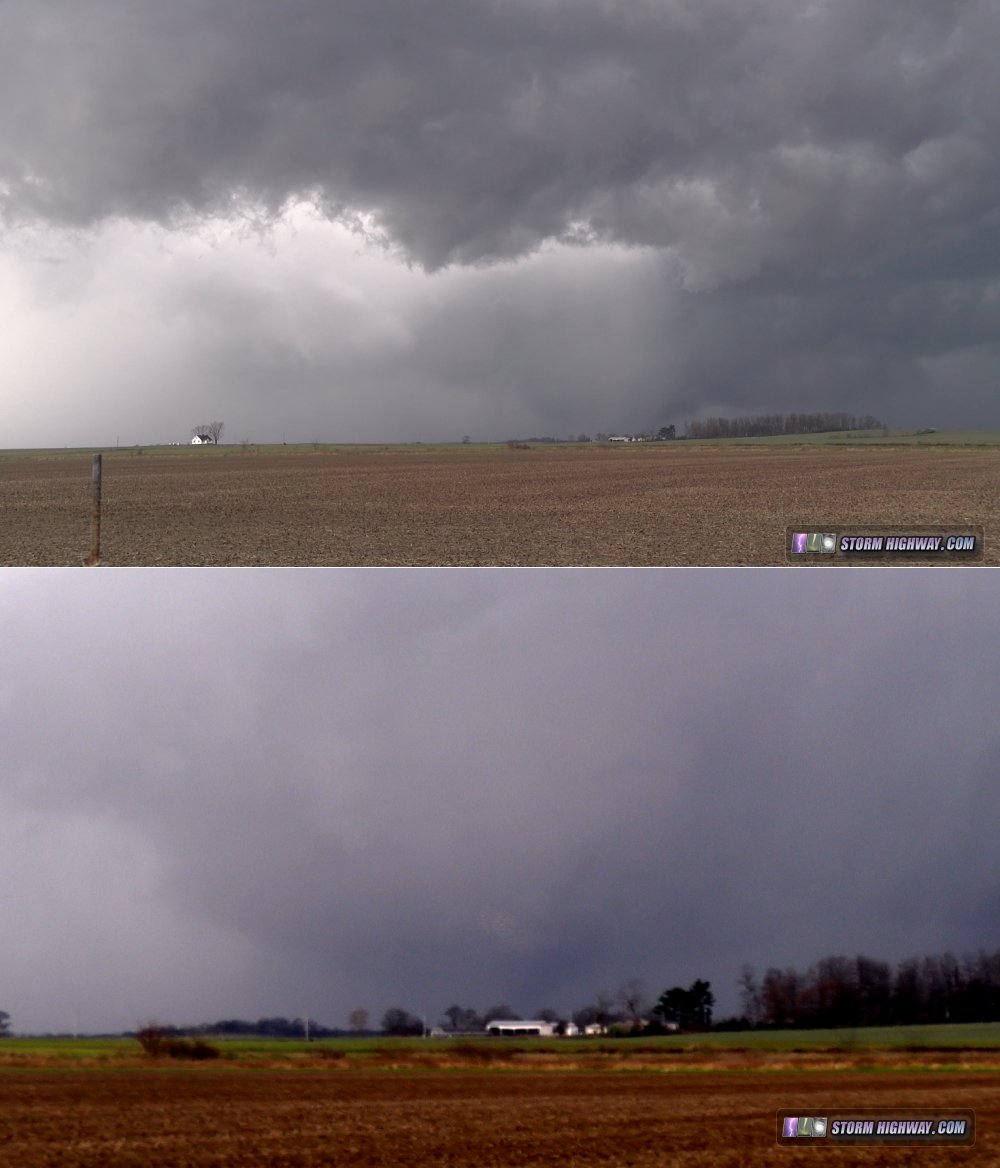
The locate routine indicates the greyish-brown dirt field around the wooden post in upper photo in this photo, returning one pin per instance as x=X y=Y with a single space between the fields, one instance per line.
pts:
x=663 y=505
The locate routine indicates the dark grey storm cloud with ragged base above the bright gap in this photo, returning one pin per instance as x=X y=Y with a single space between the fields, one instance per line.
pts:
x=772 y=135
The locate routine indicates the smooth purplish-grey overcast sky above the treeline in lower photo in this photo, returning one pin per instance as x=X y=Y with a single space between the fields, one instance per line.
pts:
x=233 y=794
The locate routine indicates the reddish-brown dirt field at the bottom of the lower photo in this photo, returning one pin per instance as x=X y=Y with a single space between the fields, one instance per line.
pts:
x=148 y=1118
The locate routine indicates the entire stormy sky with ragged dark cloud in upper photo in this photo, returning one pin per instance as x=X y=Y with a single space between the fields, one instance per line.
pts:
x=378 y=220
